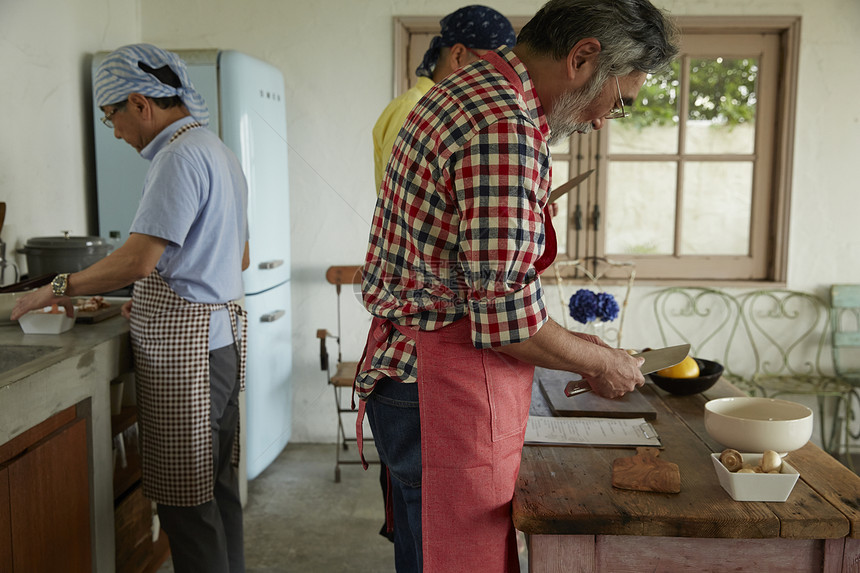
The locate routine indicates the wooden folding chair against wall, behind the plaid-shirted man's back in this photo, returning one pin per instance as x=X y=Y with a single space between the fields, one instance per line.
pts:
x=342 y=375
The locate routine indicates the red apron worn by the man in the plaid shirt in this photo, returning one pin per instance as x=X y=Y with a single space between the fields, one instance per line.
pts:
x=474 y=407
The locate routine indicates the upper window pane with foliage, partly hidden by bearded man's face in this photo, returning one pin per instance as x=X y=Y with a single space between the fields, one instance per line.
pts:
x=652 y=126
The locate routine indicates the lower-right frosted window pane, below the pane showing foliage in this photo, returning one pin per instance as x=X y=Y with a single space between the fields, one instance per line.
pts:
x=716 y=214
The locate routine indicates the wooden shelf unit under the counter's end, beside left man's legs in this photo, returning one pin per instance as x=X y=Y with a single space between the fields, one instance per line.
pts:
x=135 y=550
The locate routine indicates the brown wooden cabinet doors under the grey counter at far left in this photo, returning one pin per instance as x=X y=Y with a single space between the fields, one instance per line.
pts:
x=45 y=497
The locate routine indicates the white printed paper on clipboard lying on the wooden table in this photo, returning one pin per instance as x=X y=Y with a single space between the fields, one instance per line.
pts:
x=591 y=431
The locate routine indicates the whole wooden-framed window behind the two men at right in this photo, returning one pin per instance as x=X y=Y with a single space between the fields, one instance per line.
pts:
x=695 y=185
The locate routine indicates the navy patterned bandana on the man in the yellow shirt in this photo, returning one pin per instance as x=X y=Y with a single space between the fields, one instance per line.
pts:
x=475 y=26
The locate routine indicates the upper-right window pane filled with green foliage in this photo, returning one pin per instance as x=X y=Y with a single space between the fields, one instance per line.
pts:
x=723 y=101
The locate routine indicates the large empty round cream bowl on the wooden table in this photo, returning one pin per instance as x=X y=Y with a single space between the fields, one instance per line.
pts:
x=754 y=425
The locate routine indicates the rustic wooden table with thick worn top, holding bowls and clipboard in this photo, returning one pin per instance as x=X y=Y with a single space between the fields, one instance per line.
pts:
x=577 y=522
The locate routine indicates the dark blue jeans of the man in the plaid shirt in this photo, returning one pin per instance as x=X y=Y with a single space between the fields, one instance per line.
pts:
x=392 y=411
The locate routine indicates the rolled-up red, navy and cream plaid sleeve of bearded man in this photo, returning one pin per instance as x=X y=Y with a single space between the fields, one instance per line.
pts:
x=497 y=182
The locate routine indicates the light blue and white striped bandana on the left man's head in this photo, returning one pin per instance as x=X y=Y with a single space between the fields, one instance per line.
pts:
x=134 y=69
